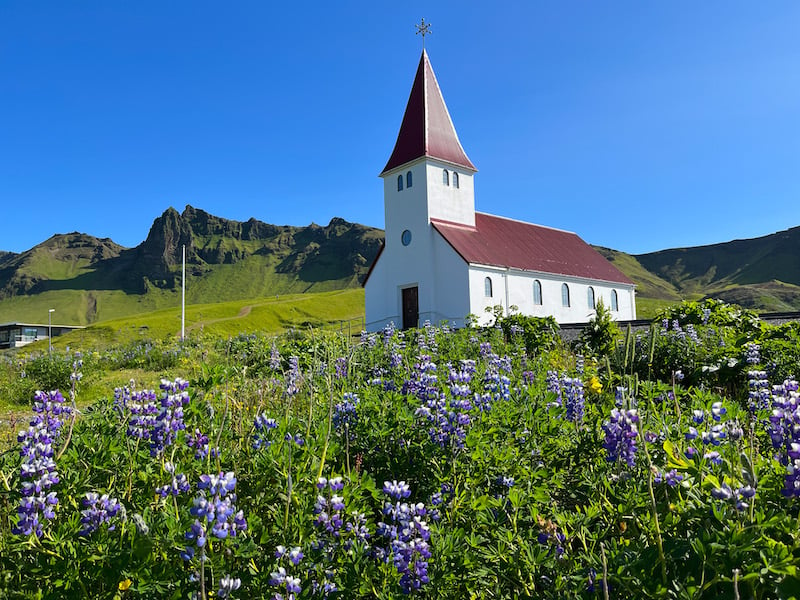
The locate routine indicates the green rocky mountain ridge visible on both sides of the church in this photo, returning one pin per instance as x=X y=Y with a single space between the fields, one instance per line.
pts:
x=90 y=278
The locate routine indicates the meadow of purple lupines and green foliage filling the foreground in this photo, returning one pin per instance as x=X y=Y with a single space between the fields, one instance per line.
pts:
x=495 y=462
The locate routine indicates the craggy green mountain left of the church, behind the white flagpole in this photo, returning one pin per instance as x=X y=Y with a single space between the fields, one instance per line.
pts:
x=87 y=279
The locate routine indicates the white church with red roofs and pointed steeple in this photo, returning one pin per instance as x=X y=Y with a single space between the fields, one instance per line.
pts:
x=441 y=260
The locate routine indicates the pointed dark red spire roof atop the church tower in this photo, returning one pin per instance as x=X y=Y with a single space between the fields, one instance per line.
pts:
x=427 y=129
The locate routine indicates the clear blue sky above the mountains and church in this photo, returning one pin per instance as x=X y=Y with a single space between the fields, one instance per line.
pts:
x=638 y=125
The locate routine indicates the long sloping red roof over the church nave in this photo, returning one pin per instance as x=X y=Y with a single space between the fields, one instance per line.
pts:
x=501 y=242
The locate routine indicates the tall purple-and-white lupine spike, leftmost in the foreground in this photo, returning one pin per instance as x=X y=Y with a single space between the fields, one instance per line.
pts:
x=38 y=469
